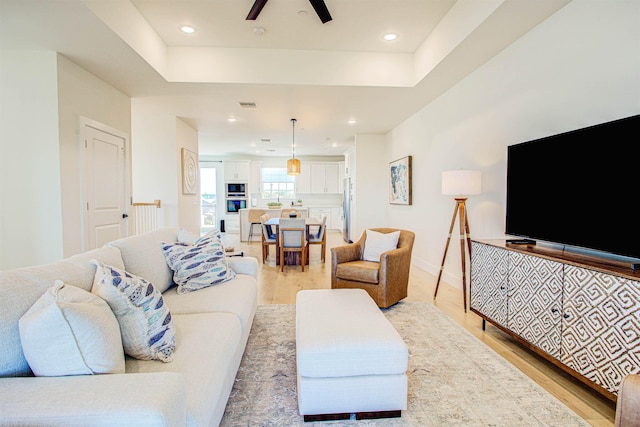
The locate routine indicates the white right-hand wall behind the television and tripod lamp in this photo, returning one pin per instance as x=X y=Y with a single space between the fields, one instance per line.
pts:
x=580 y=67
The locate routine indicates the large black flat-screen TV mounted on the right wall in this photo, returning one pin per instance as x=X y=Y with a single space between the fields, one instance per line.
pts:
x=578 y=188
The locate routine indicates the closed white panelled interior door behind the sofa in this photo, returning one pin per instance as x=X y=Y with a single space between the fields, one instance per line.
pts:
x=105 y=187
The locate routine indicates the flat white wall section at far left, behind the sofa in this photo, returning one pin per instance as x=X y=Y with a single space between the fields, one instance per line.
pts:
x=30 y=203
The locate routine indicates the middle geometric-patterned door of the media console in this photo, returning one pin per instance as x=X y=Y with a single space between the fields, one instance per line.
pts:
x=535 y=300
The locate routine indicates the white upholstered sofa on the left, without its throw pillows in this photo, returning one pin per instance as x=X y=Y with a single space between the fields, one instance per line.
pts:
x=212 y=327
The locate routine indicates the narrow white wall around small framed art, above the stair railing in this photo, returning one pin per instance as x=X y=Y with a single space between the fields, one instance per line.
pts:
x=188 y=204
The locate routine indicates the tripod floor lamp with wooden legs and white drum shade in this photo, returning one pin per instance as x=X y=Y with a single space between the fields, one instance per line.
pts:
x=460 y=183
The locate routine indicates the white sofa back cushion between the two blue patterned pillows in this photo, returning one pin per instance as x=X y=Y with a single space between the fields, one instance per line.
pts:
x=142 y=256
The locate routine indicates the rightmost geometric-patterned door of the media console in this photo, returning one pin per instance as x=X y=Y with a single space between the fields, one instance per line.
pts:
x=601 y=326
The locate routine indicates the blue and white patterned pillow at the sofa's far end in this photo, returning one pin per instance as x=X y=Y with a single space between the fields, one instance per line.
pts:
x=199 y=265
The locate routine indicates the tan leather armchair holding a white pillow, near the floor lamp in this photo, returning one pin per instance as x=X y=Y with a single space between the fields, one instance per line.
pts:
x=386 y=281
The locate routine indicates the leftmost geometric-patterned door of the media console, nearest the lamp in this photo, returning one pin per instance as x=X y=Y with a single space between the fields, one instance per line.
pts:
x=488 y=288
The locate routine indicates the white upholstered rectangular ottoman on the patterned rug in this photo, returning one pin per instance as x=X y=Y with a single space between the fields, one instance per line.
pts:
x=351 y=362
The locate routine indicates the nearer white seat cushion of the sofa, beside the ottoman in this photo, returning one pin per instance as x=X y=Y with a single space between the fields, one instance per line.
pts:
x=208 y=355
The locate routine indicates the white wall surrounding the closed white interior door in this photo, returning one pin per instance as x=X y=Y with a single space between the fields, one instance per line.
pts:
x=83 y=94
